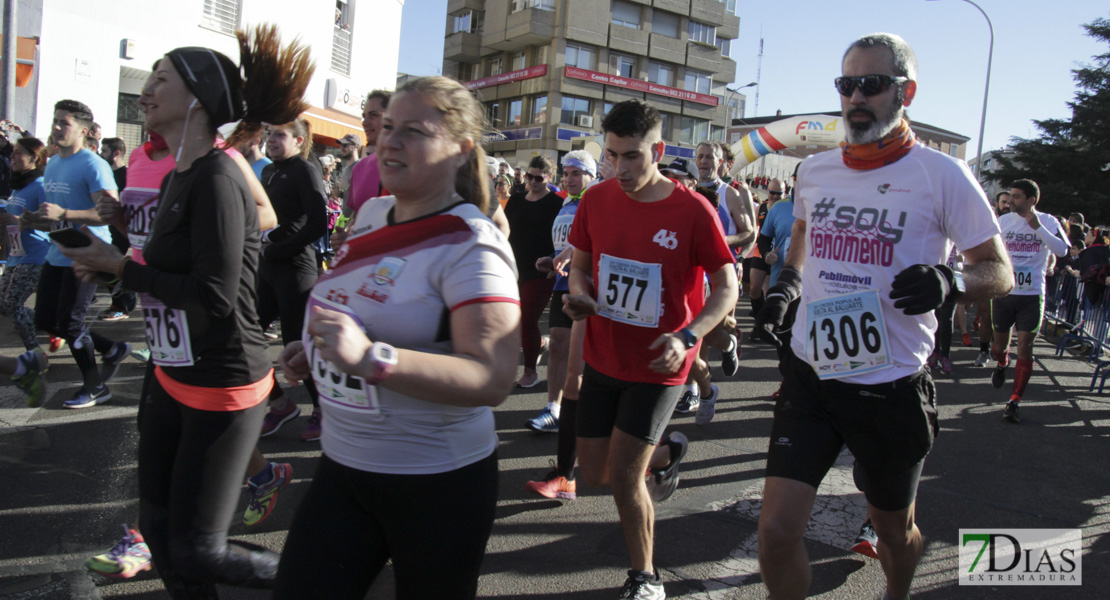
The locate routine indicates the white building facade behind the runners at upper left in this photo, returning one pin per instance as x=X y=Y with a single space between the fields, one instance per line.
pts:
x=102 y=54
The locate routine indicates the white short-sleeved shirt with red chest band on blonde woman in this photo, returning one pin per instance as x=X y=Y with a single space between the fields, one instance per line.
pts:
x=400 y=282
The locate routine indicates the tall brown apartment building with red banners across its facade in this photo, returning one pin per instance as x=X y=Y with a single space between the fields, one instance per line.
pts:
x=550 y=70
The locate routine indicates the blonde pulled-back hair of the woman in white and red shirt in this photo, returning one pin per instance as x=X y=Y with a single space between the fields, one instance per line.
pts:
x=465 y=120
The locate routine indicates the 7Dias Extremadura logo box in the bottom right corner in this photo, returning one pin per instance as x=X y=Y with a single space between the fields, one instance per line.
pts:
x=1022 y=557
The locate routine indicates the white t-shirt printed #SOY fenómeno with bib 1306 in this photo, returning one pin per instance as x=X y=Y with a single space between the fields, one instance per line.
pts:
x=863 y=229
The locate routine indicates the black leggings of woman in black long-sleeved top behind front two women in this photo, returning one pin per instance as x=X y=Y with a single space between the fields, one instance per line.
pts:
x=284 y=292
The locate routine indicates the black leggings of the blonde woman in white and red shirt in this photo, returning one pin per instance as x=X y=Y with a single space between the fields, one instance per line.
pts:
x=352 y=522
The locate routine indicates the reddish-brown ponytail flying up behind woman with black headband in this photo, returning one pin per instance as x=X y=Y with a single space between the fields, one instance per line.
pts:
x=275 y=80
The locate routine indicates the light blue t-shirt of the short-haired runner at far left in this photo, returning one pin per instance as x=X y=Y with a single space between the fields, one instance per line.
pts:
x=70 y=184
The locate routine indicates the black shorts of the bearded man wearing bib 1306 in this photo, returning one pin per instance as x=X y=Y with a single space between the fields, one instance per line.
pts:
x=889 y=428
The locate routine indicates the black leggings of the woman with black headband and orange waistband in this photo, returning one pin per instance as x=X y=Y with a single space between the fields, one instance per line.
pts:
x=191 y=466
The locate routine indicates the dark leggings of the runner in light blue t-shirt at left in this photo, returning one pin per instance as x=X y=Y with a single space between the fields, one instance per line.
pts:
x=60 y=307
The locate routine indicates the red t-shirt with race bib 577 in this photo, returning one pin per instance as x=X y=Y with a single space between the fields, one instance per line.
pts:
x=650 y=266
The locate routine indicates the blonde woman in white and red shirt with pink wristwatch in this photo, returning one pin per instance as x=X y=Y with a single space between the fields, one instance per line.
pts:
x=409 y=363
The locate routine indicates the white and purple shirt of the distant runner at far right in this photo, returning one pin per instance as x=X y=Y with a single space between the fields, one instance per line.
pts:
x=1030 y=250
